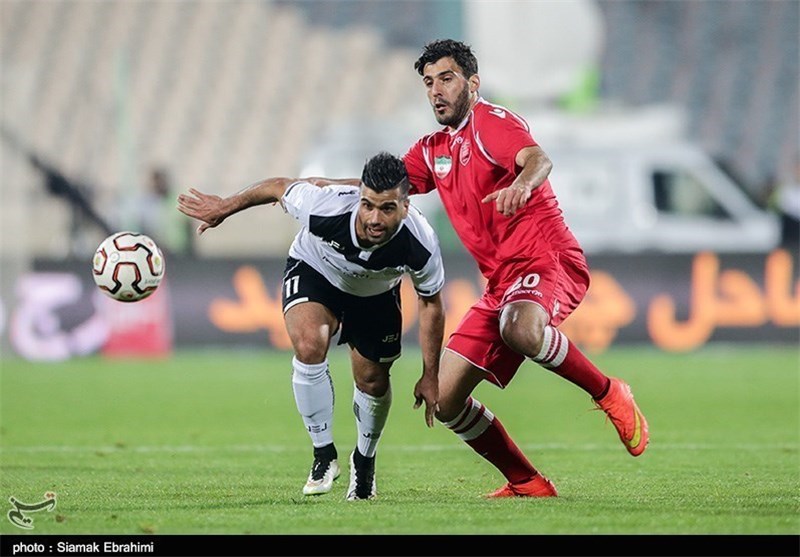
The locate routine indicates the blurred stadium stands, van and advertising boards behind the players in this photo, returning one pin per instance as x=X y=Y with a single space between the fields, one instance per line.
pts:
x=100 y=96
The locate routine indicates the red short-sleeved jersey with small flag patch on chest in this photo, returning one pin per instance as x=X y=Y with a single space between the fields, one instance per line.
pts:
x=468 y=163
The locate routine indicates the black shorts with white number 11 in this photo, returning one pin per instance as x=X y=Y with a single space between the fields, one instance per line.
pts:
x=372 y=324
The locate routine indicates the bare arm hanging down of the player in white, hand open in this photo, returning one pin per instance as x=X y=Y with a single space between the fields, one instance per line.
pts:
x=431 y=334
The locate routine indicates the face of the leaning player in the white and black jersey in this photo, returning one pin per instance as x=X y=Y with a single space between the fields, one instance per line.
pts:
x=379 y=215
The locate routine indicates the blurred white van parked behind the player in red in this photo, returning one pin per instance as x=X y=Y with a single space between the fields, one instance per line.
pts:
x=656 y=198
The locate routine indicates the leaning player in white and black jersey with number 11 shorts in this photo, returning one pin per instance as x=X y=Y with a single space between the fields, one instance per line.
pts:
x=343 y=272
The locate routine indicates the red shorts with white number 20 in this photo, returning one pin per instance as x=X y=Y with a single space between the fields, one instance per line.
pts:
x=557 y=283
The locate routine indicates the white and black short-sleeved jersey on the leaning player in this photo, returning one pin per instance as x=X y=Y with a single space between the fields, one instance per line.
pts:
x=327 y=242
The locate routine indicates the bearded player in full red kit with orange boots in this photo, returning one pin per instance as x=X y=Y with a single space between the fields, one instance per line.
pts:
x=492 y=178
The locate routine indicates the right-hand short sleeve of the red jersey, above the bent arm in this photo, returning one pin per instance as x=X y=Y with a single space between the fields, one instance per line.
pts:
x=502 y=134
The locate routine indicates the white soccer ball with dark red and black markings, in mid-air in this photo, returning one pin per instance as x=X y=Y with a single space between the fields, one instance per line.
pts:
x=128 y=266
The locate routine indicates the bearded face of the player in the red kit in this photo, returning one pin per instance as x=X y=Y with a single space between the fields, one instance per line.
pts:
x=449 y=92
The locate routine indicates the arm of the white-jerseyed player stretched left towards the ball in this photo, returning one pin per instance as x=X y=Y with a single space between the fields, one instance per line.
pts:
x=212 y=210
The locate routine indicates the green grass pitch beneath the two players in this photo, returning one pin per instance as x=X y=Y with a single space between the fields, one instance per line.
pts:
x=210 y=443
